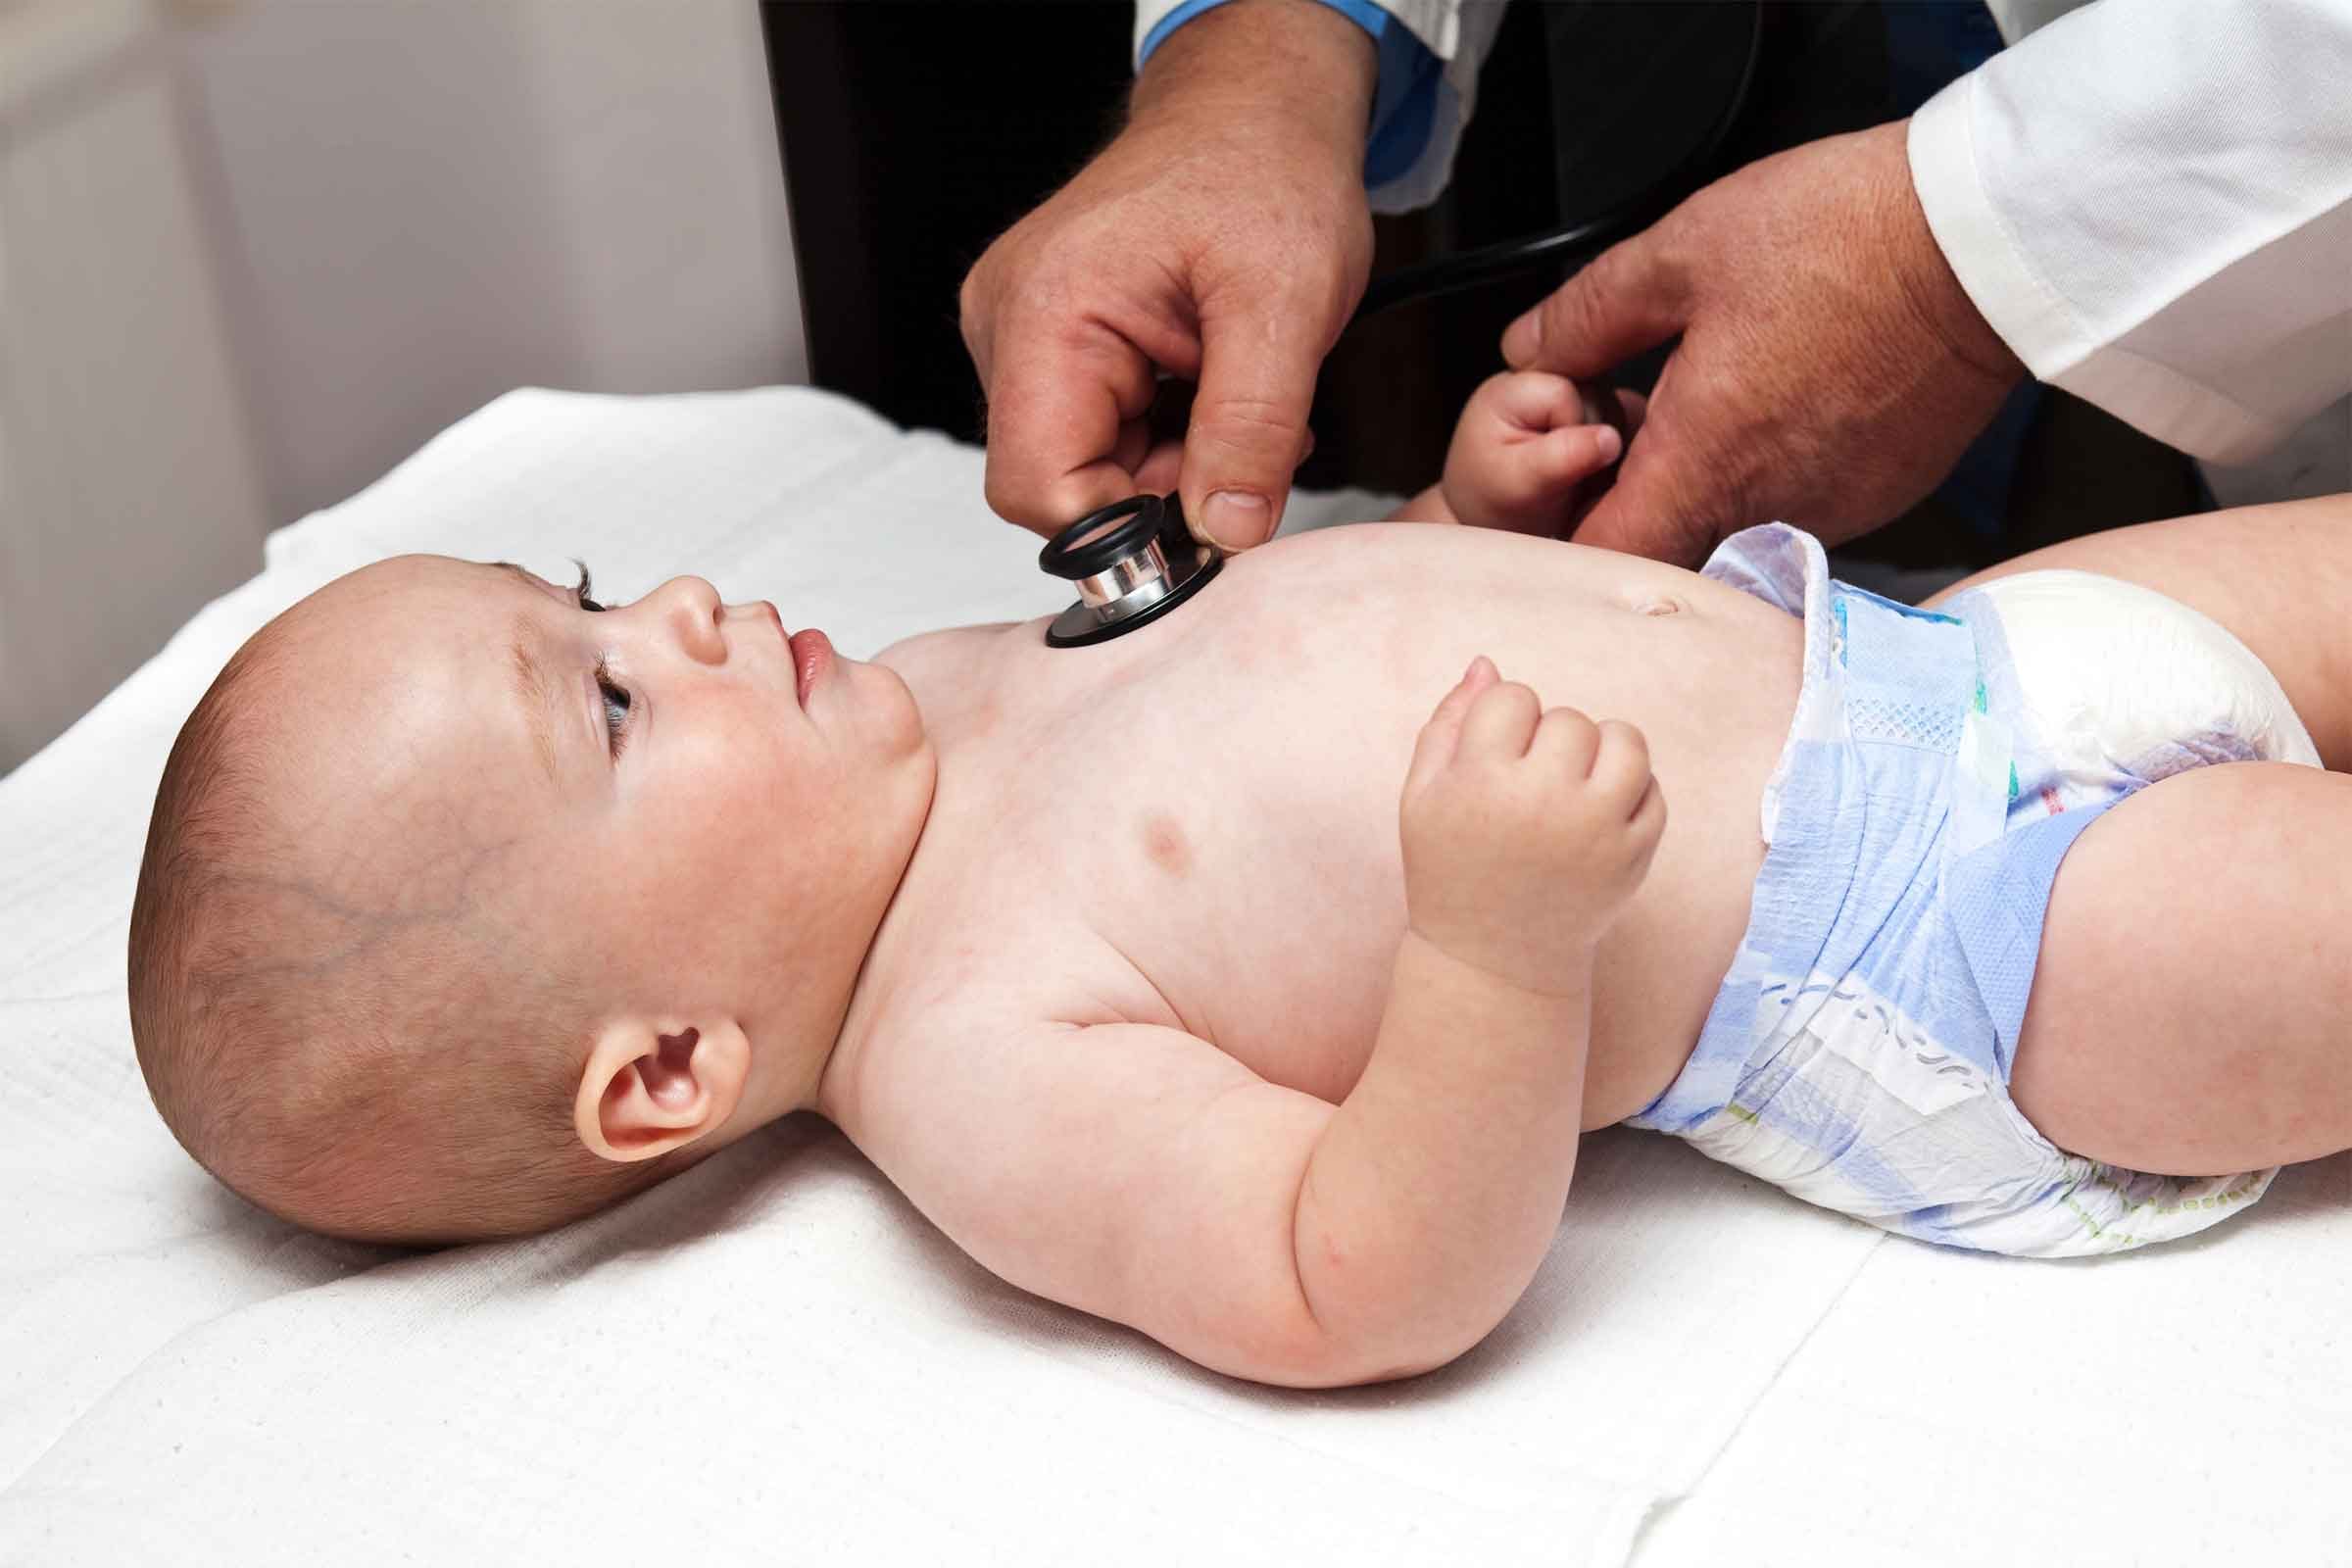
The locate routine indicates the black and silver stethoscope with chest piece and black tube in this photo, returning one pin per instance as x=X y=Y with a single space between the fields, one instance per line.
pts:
x=1135 y=561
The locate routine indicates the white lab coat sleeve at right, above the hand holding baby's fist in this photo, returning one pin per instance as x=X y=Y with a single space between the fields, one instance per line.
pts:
x=2151 y=201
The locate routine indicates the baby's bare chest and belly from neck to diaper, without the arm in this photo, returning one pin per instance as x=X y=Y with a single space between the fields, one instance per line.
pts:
x=1205 y=833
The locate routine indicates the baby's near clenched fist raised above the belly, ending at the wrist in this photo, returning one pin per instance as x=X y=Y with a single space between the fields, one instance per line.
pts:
x=1525 y=829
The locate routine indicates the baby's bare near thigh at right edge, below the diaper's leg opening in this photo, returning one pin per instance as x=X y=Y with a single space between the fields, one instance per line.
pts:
x=2193 y=1005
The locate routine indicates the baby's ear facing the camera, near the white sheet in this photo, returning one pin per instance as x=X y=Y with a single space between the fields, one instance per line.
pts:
x=660 y=1085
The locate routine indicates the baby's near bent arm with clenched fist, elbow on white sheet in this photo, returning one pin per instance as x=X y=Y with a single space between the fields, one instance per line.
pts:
x=1147 y=1177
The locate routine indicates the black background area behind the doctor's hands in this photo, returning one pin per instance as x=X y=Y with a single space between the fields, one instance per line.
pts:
x=914 y=133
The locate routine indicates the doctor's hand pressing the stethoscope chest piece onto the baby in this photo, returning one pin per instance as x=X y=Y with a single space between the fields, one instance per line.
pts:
x=1222 y=239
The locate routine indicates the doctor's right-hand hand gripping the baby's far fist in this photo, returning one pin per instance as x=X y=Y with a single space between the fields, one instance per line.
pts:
x=1831 y=368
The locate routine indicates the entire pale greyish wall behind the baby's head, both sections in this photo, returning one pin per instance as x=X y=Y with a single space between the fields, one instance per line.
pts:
x=258 y=253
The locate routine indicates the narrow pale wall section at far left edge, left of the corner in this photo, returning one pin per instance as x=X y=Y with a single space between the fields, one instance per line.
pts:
x=128 y=485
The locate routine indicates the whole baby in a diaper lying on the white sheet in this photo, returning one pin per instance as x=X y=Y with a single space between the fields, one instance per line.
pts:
x=1250 y=979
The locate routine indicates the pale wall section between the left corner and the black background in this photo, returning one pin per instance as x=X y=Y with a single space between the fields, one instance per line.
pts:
x=436 y=201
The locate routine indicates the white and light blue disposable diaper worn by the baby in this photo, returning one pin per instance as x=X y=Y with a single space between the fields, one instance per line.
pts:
x=1939 y=768
